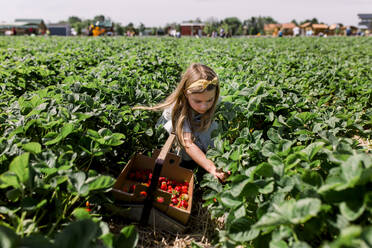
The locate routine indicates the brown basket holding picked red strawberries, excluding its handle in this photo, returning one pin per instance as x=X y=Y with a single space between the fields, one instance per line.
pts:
x=161 y=213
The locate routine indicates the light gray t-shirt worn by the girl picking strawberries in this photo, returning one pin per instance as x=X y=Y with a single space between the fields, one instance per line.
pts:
x=202 y=139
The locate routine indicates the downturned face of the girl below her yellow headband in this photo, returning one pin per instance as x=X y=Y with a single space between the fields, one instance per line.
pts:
x=201 y=102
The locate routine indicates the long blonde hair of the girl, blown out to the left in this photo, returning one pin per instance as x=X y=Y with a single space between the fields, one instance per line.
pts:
x=182 y=110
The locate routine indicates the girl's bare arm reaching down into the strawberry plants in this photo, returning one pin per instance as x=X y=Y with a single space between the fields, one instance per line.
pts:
x=201 y=159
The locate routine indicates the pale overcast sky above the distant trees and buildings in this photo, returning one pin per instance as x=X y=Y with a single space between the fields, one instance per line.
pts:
x=161 y=12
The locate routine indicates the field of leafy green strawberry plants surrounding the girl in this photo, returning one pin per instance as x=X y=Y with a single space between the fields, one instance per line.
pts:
x=292 y=115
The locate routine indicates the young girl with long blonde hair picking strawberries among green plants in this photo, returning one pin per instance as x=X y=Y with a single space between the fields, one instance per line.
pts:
x=188 y=112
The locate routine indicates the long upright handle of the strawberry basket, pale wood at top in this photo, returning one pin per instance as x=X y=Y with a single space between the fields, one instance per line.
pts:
x=155 y=178
